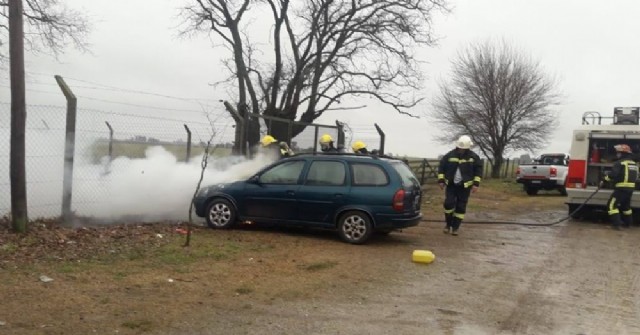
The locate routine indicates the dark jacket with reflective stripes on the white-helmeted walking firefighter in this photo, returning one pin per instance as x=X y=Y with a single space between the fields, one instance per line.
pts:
x=469 y=164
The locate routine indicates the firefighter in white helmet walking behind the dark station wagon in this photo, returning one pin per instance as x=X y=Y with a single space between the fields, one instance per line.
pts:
x=460 y=173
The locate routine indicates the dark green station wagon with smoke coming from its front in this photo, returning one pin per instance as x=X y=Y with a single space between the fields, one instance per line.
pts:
x=356 y=195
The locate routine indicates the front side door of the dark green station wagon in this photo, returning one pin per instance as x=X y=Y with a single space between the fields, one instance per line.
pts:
x=271 y=196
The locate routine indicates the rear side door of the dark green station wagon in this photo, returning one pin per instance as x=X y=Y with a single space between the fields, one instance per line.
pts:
x=323 y=191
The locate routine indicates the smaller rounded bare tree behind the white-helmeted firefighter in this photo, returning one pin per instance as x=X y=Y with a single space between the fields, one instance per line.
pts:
x=499 y=97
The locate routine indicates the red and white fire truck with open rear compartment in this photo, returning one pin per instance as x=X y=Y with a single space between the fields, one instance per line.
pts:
x=592 y=156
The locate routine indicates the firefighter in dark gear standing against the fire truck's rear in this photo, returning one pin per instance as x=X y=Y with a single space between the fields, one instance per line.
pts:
x=623 y=175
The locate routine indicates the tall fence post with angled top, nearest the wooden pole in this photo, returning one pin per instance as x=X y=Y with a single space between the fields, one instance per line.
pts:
x=69 y=146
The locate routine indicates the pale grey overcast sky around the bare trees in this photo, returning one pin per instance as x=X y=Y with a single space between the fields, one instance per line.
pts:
x=590 y=46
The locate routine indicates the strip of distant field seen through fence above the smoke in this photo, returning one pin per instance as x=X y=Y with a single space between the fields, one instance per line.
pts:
x=133 y=149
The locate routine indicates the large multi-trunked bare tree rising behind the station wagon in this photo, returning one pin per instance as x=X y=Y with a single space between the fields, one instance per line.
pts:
x=323 y=52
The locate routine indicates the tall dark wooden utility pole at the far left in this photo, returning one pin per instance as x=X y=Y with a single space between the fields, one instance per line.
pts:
x=17 y=168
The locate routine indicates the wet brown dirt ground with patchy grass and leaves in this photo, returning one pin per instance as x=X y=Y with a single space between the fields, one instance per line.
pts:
x=575 y=277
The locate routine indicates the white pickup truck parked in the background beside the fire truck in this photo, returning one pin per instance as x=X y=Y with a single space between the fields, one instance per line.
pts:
x=547 y=172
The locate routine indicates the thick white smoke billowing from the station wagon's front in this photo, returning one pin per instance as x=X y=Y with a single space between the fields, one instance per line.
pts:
x=157 y=187
